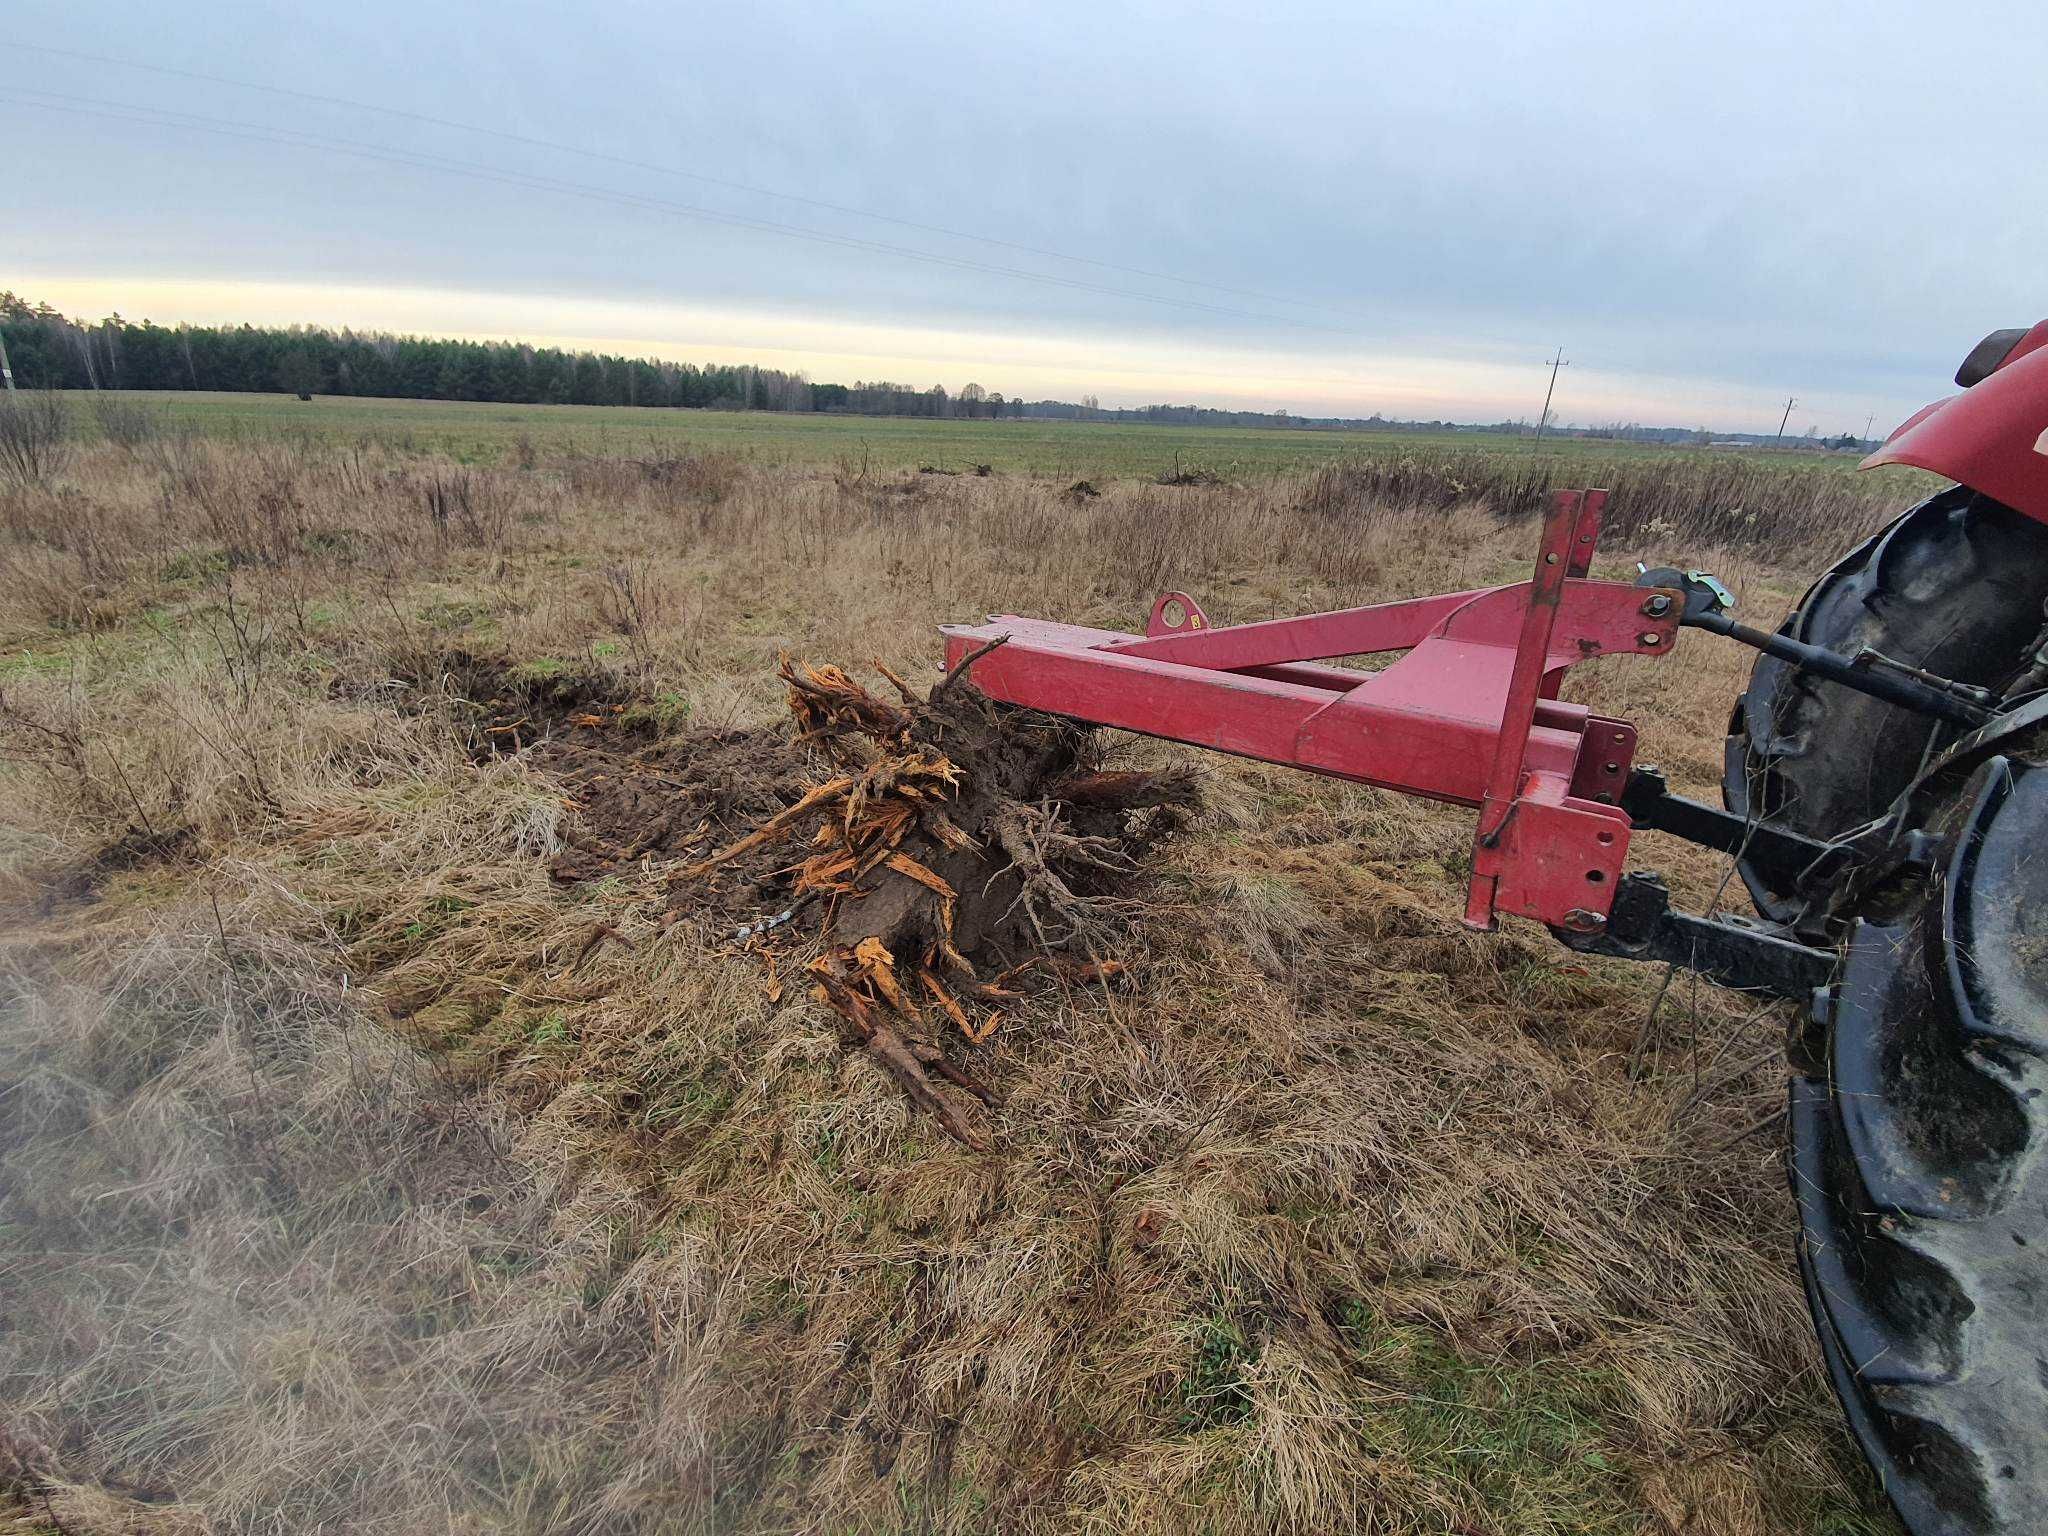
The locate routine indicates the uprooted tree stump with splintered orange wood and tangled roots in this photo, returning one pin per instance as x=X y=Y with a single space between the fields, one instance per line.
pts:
x=957 y=849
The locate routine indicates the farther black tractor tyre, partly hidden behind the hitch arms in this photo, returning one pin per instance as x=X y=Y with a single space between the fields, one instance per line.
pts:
x=1953 y=587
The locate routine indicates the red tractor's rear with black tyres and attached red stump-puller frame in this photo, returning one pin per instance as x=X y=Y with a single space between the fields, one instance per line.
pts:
x=1887 y=806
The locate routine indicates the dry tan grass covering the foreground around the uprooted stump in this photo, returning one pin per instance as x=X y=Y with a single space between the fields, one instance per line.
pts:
x=337 y=1195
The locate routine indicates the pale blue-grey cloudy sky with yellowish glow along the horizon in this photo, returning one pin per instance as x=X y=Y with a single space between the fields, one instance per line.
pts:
x=1332 y=210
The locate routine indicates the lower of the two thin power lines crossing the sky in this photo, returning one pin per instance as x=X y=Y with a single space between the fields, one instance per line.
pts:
x=450 y=165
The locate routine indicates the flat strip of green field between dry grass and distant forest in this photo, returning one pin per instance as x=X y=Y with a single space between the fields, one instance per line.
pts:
x=1033 y=447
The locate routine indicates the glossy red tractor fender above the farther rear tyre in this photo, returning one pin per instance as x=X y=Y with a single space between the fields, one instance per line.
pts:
x=1994 y=437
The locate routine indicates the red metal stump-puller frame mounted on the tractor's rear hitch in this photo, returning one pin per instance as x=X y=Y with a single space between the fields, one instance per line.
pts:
x=1467 y=714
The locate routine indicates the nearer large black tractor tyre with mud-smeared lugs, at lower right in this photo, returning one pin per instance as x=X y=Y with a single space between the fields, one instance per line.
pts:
x=1920 y=1148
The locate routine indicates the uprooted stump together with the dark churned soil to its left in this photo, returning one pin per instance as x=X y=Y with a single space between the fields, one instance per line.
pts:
x=953 y=851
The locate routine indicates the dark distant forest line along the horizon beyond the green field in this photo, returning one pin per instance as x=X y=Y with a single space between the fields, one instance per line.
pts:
x=54 y=351
